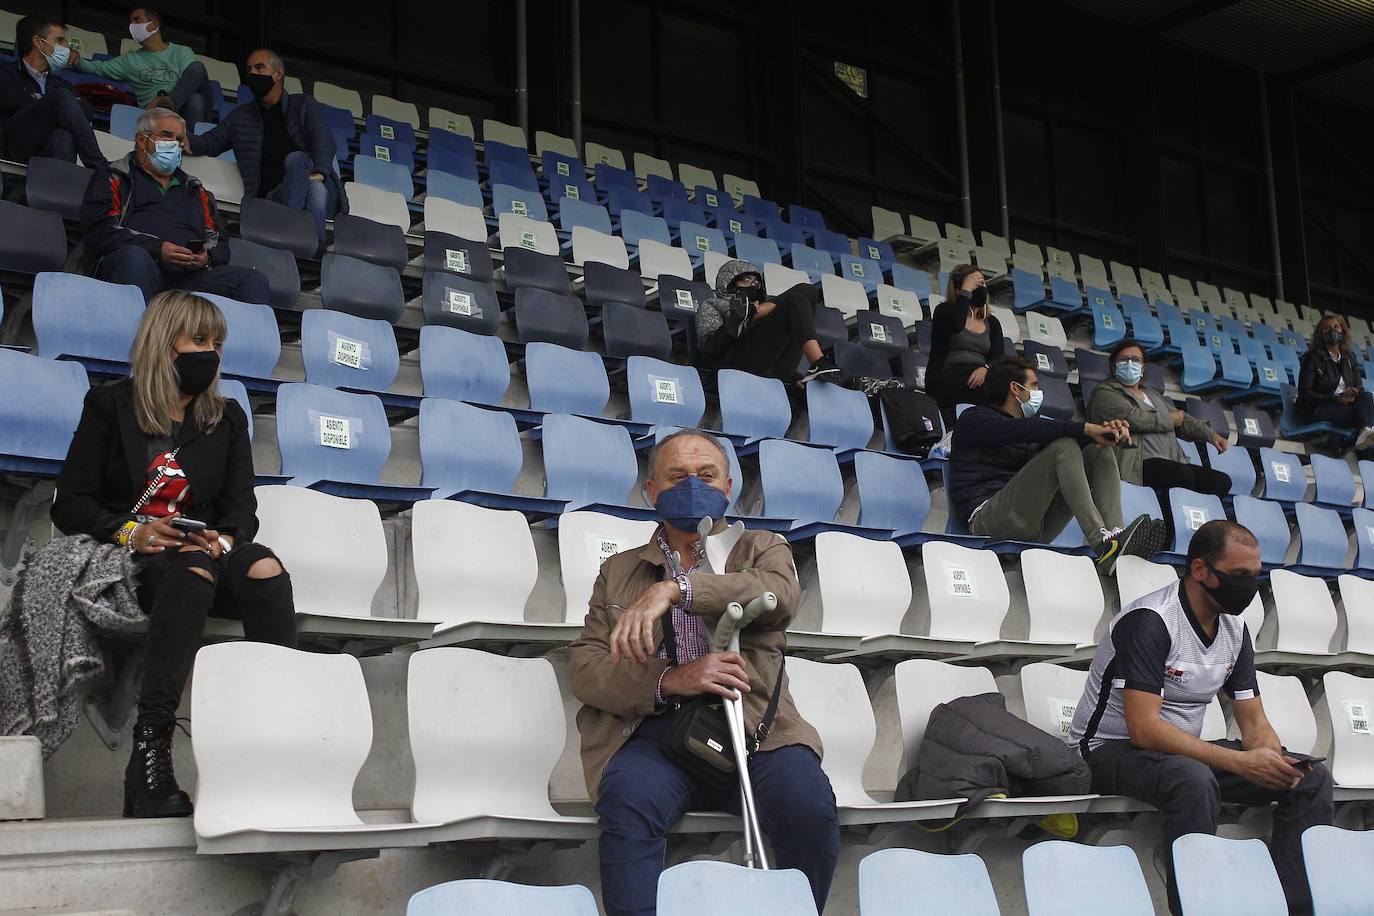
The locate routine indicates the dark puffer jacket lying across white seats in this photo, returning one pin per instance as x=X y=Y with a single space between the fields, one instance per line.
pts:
x=975 y=749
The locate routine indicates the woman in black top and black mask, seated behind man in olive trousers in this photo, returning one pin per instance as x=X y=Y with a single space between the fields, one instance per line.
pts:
x=964 y=340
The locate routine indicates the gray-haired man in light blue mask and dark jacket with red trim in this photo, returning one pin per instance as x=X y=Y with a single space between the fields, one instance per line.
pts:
x=149 y=225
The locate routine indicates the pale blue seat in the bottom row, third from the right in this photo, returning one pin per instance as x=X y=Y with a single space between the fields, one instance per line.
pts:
x=1075 y=880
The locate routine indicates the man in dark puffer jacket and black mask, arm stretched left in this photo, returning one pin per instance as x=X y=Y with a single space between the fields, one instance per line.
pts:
x=284 y=146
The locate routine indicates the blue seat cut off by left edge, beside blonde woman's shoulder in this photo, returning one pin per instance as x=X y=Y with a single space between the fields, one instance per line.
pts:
x=39 y=413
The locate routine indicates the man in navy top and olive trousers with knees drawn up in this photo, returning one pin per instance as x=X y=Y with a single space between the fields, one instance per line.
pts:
x=1022 y=477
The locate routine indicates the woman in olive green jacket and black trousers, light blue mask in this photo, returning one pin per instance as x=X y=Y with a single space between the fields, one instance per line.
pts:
x=1156 y=426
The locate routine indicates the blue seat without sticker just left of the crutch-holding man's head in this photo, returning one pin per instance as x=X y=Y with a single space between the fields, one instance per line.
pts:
x=592 y=466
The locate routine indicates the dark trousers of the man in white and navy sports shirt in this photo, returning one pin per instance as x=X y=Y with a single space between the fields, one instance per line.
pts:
x=1189 y=794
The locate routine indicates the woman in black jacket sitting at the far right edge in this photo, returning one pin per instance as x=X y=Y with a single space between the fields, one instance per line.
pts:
x=1331 y=387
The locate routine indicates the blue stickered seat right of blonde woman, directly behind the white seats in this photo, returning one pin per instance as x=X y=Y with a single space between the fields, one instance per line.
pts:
x=337 y=443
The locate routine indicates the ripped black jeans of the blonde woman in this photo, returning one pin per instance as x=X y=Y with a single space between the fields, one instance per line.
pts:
x=178 y=601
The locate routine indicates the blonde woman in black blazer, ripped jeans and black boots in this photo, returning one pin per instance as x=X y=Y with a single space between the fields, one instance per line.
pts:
x=150 y=448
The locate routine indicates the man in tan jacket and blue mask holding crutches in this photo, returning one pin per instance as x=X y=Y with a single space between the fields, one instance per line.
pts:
x=646 y=648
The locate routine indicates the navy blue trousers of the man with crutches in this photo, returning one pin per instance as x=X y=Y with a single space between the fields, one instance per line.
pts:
x=642 y=794
